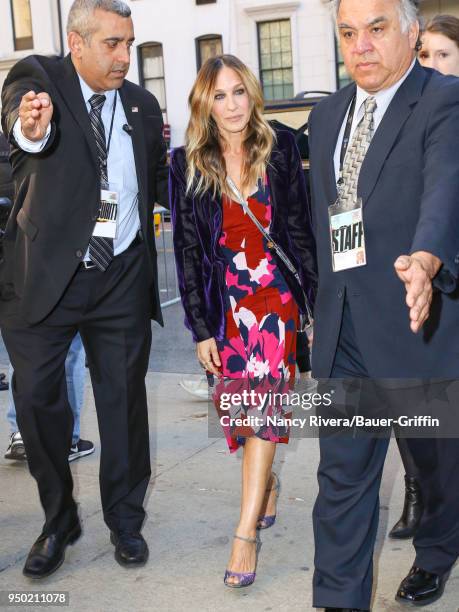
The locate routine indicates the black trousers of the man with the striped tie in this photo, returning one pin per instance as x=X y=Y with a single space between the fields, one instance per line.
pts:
x=111 y=310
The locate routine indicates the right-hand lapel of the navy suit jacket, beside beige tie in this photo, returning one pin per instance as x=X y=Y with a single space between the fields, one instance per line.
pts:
x=385 y=136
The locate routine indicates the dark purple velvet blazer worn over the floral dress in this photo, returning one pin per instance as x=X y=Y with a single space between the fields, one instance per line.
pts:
x=197 y=225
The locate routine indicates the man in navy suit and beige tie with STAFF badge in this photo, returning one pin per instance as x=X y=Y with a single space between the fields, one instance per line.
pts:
x=391 y=141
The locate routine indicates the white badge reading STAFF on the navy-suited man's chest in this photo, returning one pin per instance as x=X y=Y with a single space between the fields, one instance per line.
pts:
x=347 y=236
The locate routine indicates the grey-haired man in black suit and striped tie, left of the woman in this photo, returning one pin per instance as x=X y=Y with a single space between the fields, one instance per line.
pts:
x=89 y=161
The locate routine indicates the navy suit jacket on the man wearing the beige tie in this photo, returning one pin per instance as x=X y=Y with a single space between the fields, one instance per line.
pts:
x=409 y=183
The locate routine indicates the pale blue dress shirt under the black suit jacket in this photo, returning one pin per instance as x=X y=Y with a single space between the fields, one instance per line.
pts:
x=122 y=176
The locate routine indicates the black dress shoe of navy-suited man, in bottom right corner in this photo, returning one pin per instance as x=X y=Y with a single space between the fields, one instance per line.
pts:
x=421 y=588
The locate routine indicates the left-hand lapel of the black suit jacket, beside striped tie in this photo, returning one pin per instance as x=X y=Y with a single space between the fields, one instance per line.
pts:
x=68 y=84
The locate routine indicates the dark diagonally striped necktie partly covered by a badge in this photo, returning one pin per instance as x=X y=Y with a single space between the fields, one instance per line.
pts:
x=100 y=249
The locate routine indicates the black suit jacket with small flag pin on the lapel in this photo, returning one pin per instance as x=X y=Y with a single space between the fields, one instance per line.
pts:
x=57 y=190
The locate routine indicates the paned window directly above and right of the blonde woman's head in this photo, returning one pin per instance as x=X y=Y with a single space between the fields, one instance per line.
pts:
x=275 y=53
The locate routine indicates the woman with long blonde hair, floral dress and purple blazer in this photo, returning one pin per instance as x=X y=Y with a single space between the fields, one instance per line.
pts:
x=245 y=257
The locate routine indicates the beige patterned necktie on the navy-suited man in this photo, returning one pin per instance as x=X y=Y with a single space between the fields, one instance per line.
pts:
x=356 y=154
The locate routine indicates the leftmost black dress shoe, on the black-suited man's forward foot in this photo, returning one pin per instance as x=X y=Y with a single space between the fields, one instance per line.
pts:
x=48 y=552
